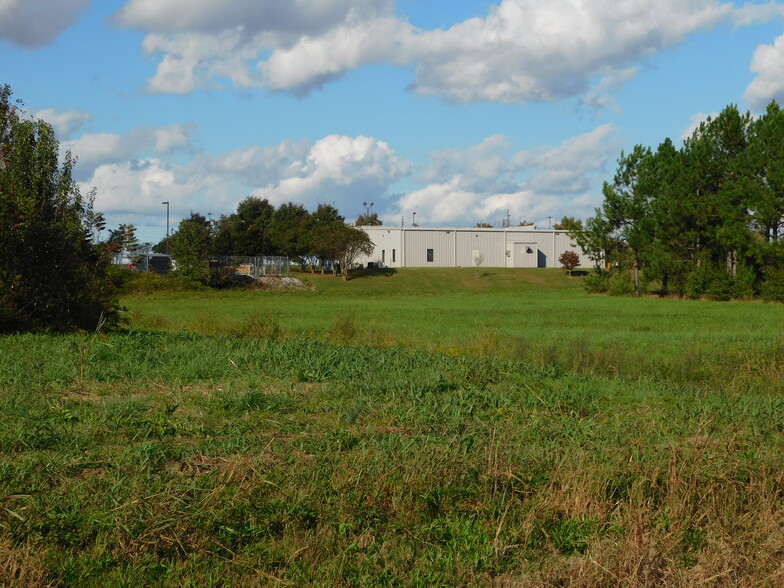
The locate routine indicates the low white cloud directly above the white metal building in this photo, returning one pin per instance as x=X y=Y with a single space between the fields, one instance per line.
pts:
x=485 y=182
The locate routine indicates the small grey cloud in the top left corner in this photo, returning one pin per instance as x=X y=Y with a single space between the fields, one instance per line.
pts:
x=35 y=23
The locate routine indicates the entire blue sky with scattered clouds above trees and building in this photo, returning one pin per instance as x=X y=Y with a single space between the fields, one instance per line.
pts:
x=459 y=111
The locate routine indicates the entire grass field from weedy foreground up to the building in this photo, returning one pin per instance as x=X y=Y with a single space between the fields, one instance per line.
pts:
x=412 y=428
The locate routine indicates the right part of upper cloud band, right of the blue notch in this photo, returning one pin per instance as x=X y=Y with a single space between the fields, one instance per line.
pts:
x=527 y=50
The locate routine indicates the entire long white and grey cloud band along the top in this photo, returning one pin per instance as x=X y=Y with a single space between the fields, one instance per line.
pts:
x=522 y=51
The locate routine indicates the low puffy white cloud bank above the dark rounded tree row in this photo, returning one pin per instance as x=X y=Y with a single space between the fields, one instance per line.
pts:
x=340 y=169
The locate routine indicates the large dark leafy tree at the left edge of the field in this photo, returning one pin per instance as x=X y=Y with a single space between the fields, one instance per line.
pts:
x=52 y=274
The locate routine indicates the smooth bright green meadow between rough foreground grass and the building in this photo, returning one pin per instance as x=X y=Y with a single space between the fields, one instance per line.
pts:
x=540 y=316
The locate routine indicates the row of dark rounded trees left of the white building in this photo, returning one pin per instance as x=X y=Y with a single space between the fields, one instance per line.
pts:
x=319 y=240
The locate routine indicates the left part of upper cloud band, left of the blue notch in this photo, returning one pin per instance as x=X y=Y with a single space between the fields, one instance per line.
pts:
x=200 y=41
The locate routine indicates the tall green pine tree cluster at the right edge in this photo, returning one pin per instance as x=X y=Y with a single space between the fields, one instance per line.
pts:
x=702 y=221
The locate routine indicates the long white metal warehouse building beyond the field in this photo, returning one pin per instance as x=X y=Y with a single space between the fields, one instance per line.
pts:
x=455 y=247
